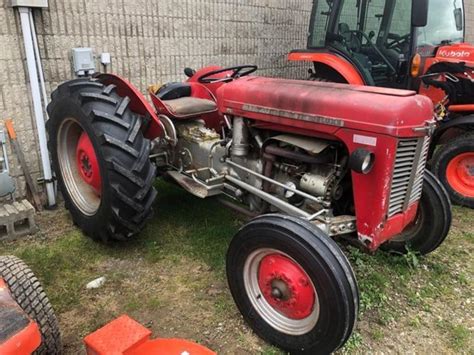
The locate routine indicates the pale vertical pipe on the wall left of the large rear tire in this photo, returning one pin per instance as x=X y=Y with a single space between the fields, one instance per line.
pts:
x=25 y=14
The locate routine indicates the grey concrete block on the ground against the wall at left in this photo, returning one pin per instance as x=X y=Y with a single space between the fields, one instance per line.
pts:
x=16 y=220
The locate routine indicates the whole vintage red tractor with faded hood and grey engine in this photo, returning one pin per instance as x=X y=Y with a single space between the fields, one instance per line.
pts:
x=314 y=160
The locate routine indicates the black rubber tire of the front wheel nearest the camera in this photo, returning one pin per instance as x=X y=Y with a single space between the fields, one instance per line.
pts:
x=322 y=261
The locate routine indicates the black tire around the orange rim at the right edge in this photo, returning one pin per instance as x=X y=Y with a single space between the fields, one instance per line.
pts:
x=441 y=160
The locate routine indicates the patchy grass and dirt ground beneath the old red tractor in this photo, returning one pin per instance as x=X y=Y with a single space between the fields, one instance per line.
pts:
x=171 y=278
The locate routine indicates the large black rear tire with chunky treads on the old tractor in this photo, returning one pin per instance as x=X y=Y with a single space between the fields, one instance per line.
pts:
x=127 y=174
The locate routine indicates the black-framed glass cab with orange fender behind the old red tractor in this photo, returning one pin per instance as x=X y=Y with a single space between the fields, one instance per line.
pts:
x=373 y=42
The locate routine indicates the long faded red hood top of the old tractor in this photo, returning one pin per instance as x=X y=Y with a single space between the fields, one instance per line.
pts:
x=326 y=107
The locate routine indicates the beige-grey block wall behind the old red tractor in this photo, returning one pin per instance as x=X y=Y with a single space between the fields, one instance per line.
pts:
x=150 y=42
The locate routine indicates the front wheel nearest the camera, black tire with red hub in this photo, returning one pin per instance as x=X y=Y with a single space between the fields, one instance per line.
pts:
x=293 y=285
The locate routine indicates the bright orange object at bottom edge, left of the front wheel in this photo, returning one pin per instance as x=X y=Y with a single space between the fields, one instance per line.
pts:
x=128 y=337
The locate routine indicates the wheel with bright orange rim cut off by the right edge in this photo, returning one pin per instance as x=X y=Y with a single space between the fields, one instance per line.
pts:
x=453 y=164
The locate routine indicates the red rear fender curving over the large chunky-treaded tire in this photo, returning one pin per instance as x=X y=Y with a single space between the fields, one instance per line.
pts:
x=138 y=103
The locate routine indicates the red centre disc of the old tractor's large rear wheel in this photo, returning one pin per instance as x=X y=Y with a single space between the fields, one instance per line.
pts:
x=87 y=163
